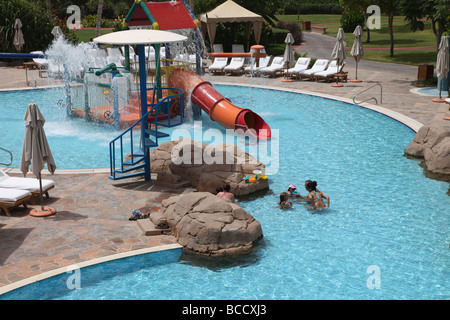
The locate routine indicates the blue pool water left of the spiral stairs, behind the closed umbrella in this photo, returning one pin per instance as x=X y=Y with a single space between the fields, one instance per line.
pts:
x=75 y=143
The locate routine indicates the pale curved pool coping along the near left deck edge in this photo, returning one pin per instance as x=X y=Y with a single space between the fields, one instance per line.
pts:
x=45 y=275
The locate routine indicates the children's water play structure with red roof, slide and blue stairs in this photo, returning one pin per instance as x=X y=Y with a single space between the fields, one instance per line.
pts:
x=141 y=94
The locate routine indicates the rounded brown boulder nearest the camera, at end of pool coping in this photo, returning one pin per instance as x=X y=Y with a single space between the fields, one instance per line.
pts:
x=206 y=224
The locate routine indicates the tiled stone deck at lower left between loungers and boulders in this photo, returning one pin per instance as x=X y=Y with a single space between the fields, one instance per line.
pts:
x=91 y=222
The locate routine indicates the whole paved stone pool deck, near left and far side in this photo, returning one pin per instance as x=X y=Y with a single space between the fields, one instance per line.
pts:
x=93 y=211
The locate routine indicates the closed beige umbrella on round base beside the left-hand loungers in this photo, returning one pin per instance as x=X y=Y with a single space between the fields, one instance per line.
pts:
x=36 y=152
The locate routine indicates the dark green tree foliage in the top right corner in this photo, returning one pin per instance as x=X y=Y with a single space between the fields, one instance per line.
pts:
x=437 y=11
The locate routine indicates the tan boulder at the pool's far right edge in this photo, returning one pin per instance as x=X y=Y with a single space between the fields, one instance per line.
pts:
x=432 y=143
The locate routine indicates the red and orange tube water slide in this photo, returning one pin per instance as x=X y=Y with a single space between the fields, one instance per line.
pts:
x=219 y=108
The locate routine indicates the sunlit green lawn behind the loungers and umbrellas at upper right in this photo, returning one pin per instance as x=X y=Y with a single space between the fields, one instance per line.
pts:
x=403 y=37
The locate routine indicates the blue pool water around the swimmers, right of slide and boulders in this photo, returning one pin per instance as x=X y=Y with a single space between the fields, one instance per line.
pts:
x=384 y=216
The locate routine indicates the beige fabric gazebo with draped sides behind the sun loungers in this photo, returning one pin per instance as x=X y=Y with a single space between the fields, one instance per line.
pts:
x=230 y=11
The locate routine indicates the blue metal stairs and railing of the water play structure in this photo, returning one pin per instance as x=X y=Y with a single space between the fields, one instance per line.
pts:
x=164 y=106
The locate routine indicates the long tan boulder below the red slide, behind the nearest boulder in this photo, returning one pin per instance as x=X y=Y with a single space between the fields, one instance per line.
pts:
x=207 y=167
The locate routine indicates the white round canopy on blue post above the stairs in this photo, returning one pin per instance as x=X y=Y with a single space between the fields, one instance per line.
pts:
x=139 y=37
